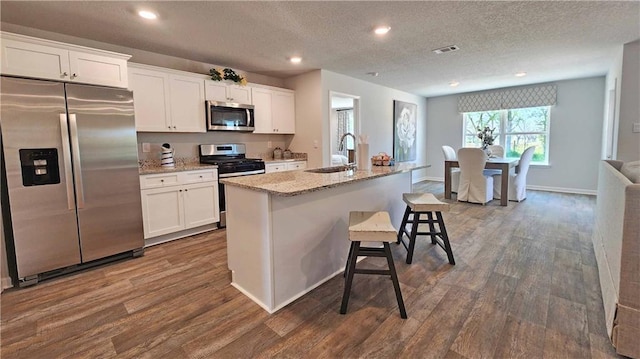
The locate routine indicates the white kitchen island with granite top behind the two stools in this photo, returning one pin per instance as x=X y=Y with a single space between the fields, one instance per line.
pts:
x=287 y=232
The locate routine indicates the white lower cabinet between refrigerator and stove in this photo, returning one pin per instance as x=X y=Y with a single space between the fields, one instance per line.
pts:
x=179 y=201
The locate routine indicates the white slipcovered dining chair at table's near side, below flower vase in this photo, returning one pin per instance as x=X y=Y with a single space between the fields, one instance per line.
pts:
x=475 y=186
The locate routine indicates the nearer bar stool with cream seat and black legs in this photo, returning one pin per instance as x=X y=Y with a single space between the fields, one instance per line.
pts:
x=370 y=227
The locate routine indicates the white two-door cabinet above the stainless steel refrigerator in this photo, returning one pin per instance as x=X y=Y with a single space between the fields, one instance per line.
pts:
x=37 y=58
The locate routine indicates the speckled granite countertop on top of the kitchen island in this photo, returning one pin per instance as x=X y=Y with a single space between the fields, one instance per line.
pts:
x=293 y=183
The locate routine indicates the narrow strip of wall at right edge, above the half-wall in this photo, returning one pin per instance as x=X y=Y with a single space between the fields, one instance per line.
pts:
x=629 y=102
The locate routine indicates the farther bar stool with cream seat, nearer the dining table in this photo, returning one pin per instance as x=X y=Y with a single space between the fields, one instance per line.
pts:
x=419 y=204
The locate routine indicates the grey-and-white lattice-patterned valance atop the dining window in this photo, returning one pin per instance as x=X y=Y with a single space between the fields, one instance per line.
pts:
x=521 y=97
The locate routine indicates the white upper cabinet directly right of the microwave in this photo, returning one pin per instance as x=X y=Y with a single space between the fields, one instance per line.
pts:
x=274 y=110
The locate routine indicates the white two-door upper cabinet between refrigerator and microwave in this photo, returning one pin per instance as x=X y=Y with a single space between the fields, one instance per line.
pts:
x=167 y=101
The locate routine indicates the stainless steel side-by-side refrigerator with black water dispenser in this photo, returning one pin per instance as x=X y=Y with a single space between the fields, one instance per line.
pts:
x=70 y=184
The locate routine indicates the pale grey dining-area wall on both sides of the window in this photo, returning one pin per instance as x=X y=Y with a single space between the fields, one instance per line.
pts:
x=575 y=139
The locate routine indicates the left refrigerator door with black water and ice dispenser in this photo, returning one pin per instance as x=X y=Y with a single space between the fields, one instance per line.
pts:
x=33 y=119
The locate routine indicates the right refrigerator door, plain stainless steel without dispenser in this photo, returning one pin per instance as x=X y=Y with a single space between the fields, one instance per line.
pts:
x=105 y=157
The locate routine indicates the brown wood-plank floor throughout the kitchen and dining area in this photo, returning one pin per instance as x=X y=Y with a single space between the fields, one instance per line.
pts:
x=525 y=285
